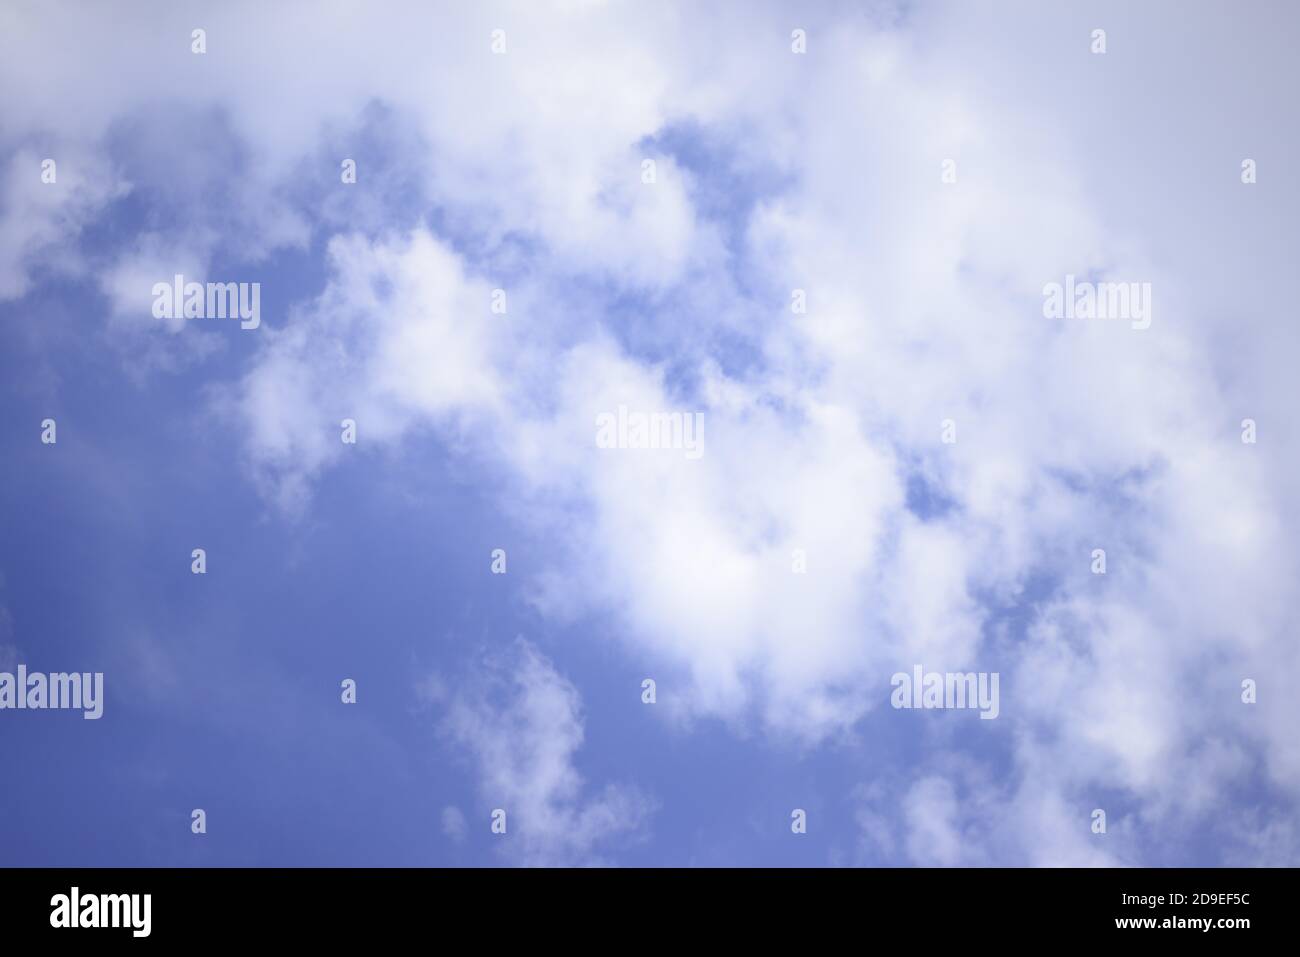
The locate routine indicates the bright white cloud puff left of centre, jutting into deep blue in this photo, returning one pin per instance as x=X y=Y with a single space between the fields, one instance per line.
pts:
x=400 y=337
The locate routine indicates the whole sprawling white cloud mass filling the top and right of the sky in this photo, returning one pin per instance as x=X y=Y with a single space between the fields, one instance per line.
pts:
x=925 y=305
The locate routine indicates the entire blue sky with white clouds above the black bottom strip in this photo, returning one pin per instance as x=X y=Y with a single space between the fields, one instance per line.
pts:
x=826 y=233
